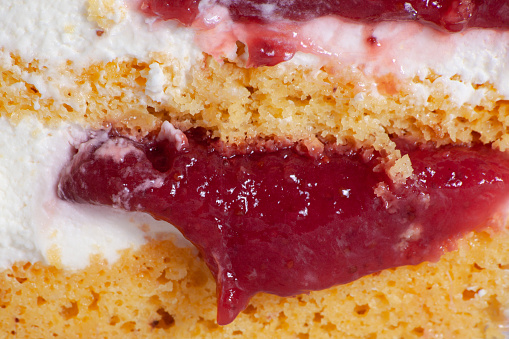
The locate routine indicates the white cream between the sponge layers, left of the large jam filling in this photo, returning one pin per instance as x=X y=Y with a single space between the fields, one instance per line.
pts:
x=37 y=226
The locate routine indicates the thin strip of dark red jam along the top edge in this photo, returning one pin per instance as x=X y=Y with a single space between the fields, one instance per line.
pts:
x=451 y=15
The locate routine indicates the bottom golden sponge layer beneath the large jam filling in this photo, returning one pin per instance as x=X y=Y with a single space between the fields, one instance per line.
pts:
x=162 y=291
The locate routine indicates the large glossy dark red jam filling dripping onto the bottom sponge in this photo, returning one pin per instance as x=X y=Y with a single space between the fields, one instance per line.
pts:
x=284 y=222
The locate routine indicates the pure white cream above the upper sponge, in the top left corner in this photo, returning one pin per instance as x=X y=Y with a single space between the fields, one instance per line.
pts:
x=55 y=31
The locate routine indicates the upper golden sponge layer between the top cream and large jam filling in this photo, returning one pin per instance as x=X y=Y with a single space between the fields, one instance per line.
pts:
x=238 y=103
